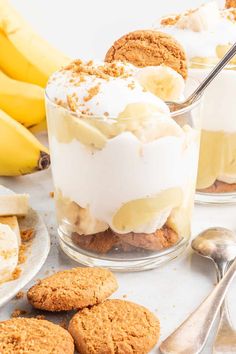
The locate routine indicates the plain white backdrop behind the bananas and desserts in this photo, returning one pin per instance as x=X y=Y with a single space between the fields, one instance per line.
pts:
x=86 y=29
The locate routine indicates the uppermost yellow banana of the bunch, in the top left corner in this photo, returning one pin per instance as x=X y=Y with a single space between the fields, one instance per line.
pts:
x=24 y=55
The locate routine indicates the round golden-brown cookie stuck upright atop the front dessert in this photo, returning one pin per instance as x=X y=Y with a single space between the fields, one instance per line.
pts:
x=149 y=48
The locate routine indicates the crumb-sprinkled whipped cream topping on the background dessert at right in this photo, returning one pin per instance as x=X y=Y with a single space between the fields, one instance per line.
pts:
x=201 y=30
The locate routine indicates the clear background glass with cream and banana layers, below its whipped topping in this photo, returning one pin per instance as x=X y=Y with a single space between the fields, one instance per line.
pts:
x=216 y=181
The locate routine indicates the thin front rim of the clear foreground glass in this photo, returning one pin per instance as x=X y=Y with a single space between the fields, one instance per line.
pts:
x=184 y=110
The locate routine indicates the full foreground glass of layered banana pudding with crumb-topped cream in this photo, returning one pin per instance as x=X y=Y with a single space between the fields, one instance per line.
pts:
x=124 y=169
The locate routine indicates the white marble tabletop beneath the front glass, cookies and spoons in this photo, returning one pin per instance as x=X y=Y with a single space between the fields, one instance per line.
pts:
x=171 y=291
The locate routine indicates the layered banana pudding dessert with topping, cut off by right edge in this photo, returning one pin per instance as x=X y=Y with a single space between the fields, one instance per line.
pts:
x=206 y=34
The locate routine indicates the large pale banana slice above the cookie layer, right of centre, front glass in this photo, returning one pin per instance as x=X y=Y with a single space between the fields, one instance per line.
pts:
x=136 y=214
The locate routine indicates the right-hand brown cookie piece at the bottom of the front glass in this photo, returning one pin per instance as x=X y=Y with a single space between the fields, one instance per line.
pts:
x=162 y=238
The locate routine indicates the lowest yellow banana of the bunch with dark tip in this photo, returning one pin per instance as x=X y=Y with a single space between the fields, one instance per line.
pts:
x=20 y=151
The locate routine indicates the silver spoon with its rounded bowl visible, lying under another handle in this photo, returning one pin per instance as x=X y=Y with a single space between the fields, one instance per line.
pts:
x=219 y=245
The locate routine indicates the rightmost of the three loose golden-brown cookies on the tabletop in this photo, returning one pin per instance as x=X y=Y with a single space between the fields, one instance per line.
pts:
x=115 y=326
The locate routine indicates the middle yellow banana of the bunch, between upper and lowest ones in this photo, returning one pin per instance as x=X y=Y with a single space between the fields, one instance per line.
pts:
x=22 y=101
